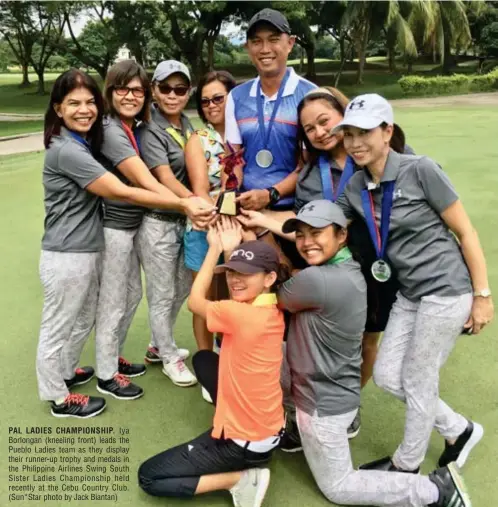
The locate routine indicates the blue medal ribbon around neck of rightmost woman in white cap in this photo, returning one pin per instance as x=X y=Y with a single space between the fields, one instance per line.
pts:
x=379 y=238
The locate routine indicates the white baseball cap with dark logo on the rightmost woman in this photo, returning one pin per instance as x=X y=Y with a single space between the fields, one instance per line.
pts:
x=367 y=112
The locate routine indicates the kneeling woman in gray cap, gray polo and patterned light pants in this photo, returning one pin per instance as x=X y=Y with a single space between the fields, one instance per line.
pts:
x=328 y=304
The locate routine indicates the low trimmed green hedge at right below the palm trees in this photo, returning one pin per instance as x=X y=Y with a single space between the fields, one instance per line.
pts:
x=458 y=83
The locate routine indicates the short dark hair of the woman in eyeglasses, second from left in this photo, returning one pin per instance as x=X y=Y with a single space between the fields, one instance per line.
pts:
x=120 y=74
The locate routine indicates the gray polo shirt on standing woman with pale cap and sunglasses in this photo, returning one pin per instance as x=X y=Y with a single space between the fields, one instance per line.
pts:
x=159 y=148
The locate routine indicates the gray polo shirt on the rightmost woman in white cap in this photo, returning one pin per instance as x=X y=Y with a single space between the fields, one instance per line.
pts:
x=422 y=249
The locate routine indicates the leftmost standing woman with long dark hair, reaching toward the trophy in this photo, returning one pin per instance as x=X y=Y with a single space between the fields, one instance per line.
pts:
x=74 y=183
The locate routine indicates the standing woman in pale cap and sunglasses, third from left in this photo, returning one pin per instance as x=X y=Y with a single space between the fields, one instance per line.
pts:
x=160 y=239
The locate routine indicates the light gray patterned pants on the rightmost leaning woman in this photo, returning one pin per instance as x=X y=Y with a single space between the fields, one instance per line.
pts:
x=417 y=342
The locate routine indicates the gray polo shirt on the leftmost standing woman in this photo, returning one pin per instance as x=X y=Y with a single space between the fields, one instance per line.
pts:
x=73 y=216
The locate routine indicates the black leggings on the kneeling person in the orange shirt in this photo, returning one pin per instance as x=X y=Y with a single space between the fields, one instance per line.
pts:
x=176 y=472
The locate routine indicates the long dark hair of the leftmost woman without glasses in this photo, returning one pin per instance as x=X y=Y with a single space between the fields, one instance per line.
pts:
x=64 y=84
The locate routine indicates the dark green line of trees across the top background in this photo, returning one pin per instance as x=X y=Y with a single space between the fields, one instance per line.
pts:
x=42 y=35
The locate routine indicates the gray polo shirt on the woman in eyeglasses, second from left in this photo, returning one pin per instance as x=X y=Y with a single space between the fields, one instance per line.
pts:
x=116 y=148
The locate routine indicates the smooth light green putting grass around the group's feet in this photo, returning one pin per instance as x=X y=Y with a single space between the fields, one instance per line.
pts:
x=462 y=140
